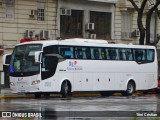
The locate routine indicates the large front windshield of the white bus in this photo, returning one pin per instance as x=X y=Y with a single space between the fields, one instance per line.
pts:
x=22 y=60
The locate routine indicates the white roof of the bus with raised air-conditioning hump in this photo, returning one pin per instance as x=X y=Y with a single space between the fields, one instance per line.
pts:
x=85 y=42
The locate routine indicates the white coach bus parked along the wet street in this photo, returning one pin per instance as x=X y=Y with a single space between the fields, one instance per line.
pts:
x=72 y=65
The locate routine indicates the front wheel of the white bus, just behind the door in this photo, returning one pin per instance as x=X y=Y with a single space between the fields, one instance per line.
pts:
x=65 y=89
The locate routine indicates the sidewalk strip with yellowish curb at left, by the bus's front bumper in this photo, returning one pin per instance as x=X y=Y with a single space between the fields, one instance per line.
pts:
x=6 y=93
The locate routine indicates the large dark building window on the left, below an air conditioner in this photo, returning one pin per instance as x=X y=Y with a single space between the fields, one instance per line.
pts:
x=71 y=24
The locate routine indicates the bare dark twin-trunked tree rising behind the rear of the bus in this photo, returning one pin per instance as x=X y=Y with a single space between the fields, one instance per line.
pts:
x=148 y=20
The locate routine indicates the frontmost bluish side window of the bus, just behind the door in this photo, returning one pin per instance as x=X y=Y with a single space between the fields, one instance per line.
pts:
x=66 y=52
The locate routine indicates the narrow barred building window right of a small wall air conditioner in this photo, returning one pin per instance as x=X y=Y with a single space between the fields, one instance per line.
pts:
x=41 y=10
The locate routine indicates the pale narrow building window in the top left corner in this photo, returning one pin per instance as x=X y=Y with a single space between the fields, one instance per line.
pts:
x=10 y=9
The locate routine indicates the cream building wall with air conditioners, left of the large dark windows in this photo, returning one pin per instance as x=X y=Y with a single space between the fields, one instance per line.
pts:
x=26 y=19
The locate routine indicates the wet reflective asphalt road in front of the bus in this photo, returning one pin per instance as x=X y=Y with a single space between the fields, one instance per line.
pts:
x=82 y=108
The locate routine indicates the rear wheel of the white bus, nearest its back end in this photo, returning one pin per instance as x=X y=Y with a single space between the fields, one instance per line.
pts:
x=130 y=89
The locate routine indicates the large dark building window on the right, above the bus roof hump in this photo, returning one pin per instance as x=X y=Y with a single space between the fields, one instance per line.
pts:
x=102 y=24
